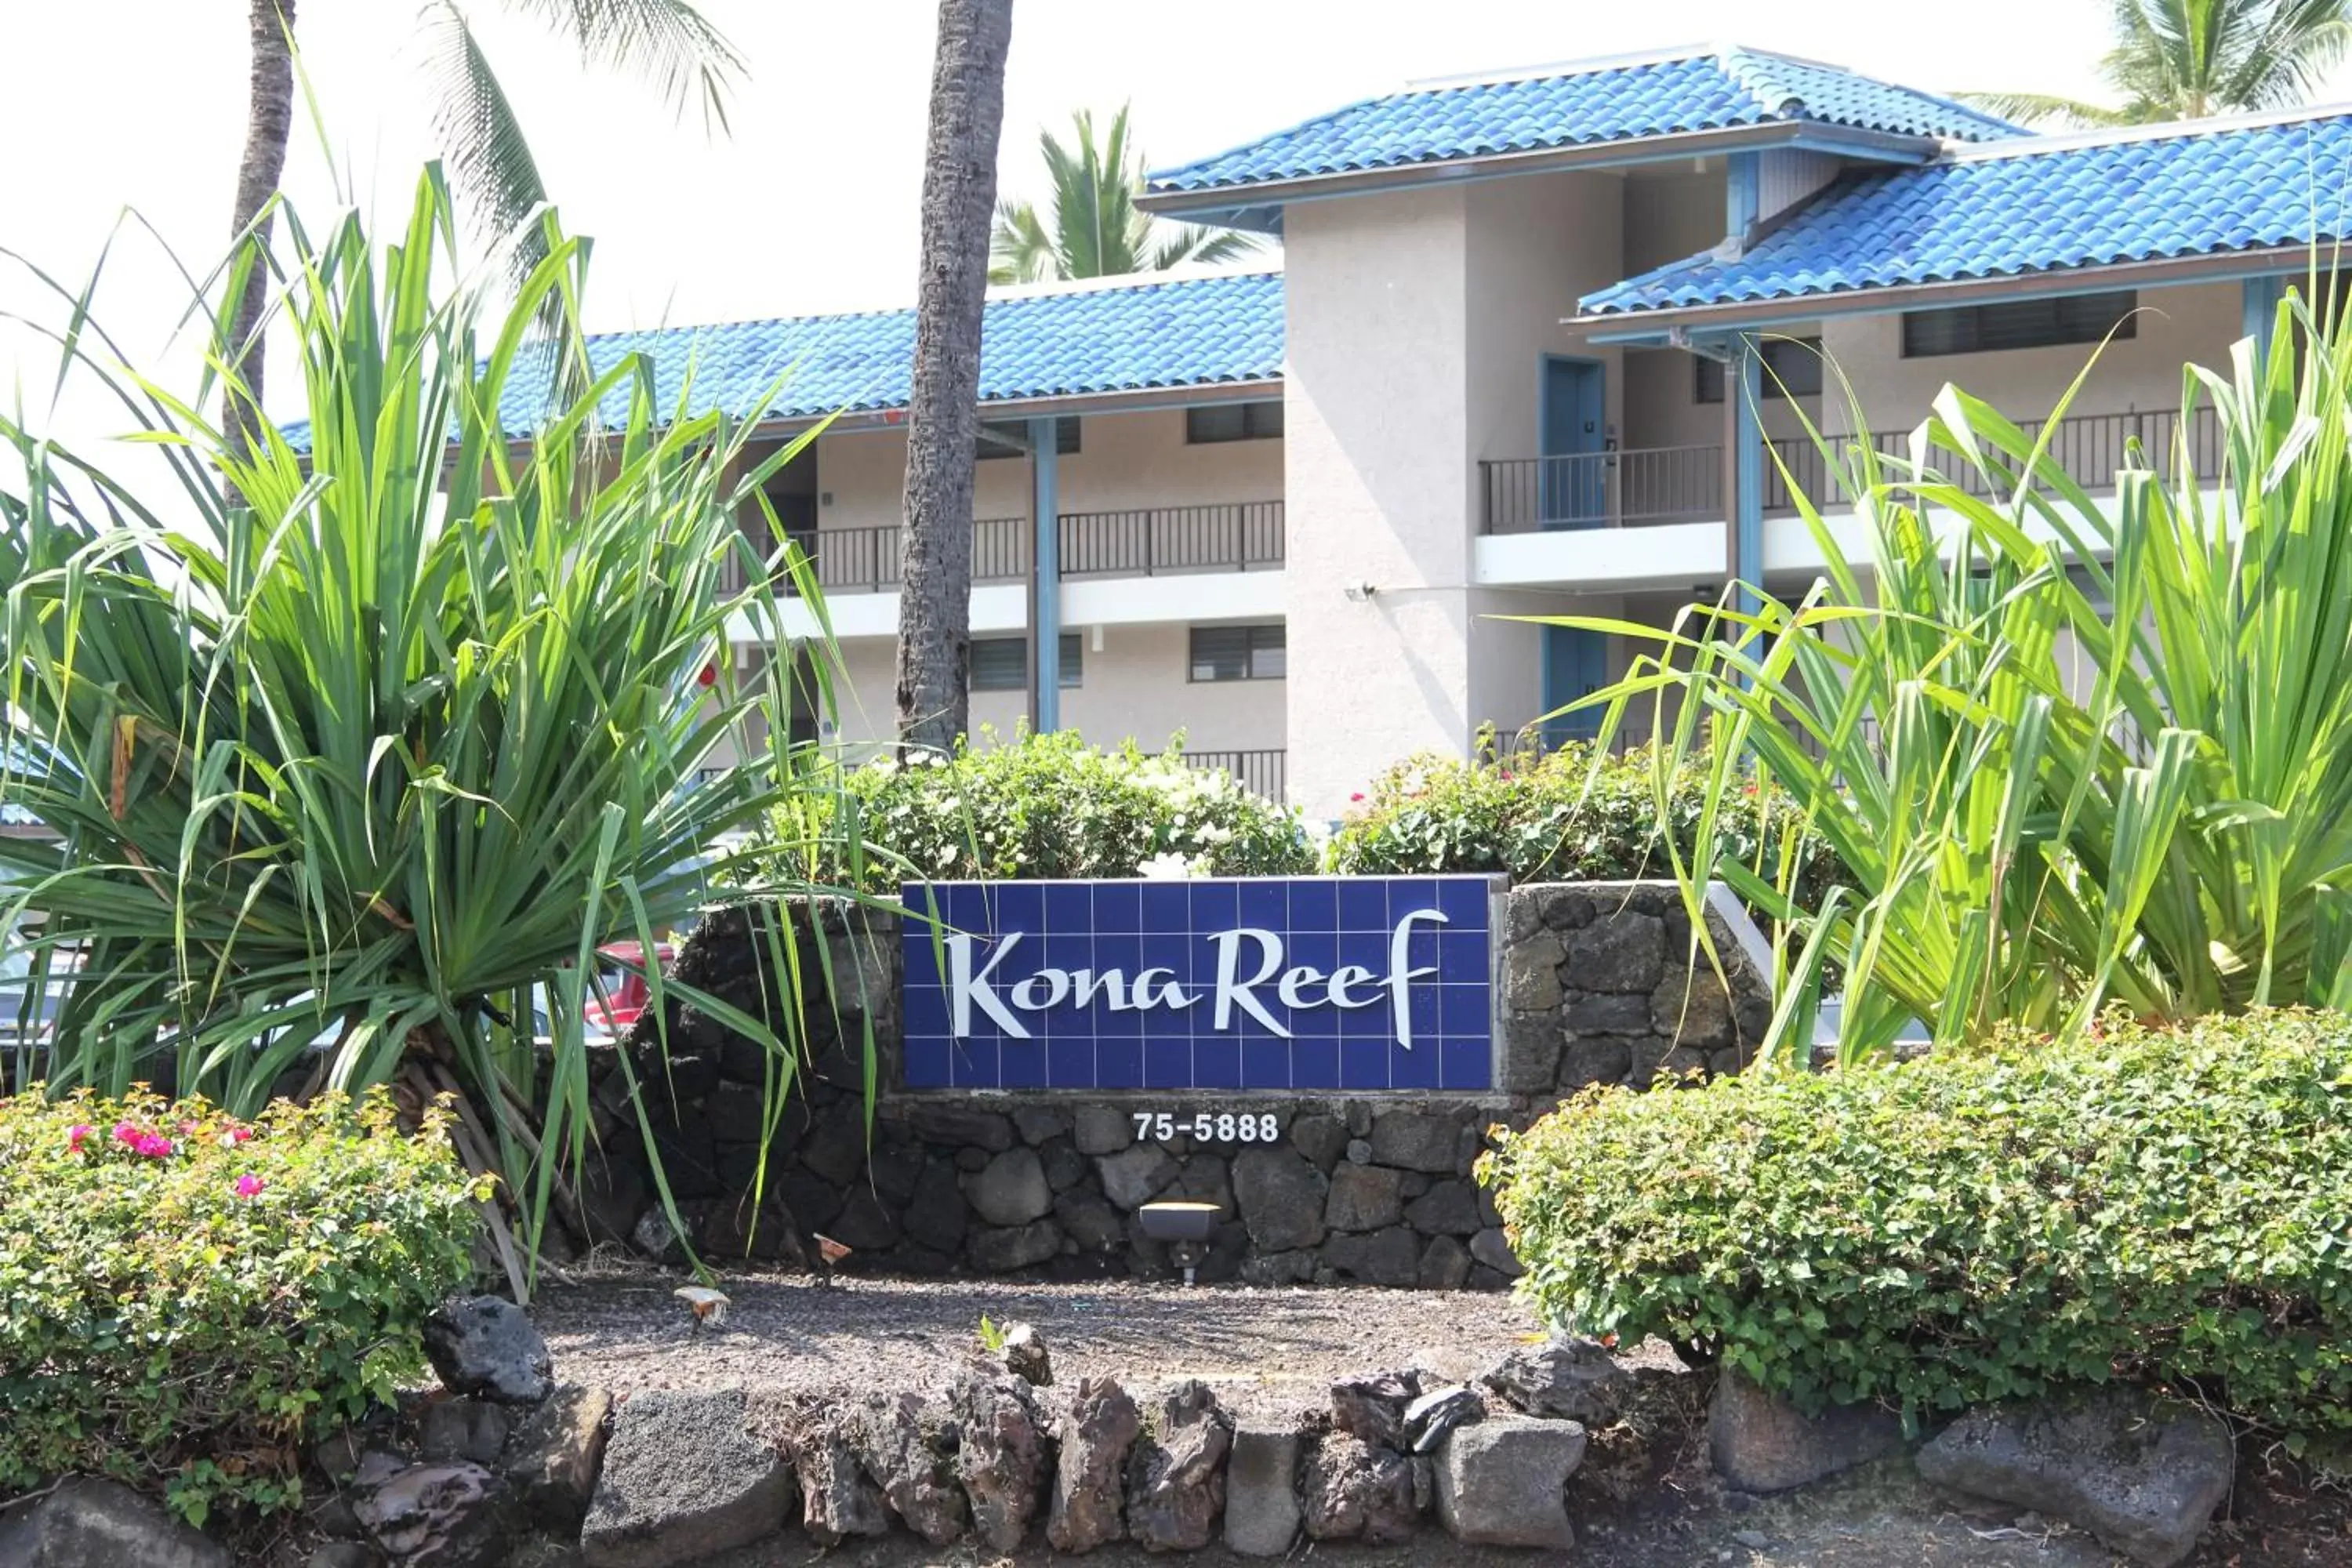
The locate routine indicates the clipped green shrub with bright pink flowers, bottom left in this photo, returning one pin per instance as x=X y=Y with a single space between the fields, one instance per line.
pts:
x=185 y=1296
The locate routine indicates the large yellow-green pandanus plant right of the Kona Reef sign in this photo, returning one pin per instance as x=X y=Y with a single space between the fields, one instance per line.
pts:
x=2069 y=751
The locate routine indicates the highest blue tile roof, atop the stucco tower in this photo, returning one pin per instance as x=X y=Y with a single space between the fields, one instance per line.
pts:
x=1584 y=107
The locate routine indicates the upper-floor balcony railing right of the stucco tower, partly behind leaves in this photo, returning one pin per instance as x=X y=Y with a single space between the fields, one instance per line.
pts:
x=1659 y=485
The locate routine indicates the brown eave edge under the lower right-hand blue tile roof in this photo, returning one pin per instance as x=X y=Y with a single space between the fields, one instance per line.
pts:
x=1690 y=323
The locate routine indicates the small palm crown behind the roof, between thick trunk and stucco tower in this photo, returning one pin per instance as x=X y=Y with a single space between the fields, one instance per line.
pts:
x=1095 y=227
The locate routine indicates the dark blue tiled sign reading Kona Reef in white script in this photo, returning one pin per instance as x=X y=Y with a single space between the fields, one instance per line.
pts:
x=1276 y=984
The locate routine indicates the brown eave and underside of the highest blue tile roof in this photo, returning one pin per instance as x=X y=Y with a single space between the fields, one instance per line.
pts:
x=1259 y=203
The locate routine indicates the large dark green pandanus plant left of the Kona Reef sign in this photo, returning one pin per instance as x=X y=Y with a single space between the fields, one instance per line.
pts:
x=373 y=732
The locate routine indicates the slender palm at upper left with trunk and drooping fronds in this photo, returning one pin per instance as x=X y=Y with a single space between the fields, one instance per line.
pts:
x=664 y=41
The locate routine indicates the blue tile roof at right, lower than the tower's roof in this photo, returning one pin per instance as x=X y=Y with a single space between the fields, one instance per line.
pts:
x=2198 y=192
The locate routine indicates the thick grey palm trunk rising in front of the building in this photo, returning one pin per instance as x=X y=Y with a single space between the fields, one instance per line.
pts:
x=958 y=199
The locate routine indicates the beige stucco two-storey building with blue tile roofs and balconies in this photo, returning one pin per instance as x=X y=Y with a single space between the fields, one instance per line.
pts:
x=1537 y=344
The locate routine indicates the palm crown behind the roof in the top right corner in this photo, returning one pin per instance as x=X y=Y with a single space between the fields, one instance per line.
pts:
x=2181 y=60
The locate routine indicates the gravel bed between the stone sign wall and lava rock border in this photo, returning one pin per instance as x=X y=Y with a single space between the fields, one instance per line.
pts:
x=1262 y=1351
